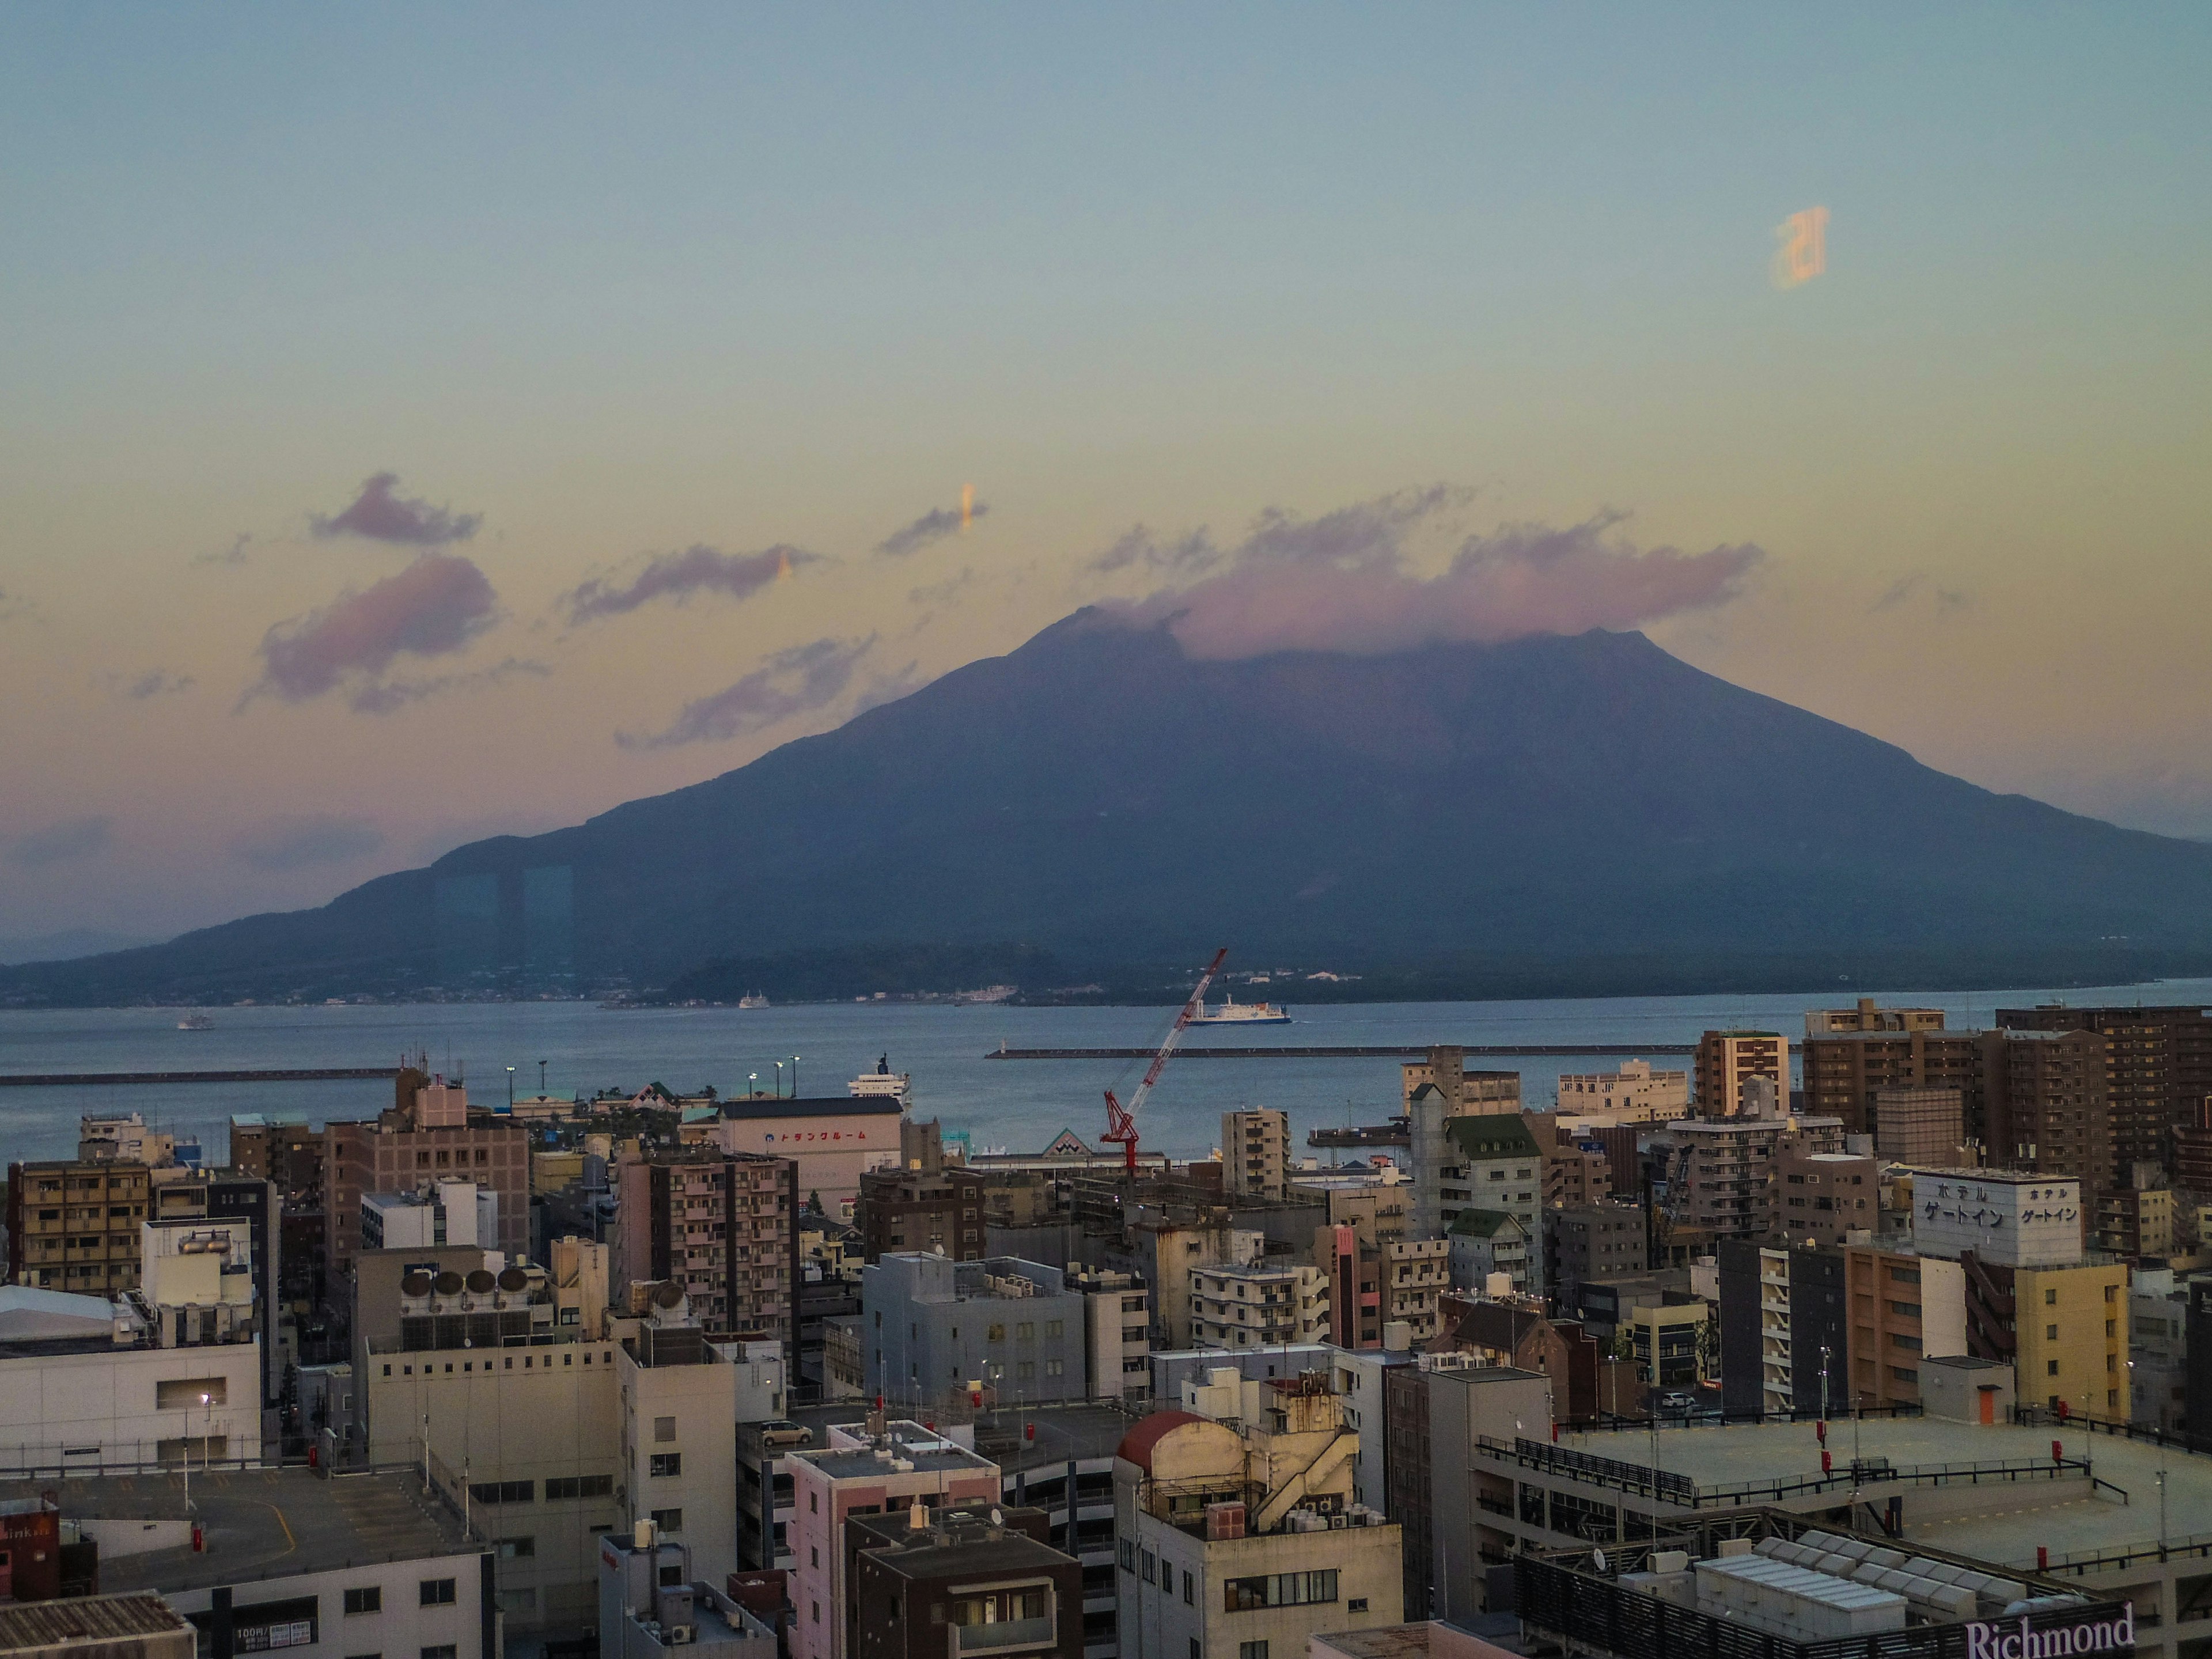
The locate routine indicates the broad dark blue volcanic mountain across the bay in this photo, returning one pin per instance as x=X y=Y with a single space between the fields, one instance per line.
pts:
x=1107 y=800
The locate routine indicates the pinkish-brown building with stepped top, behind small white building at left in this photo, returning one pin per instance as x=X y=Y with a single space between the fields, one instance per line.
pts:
x=432 y=1136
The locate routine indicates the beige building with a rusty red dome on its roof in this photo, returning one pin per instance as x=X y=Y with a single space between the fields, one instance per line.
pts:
x=1246 y=1543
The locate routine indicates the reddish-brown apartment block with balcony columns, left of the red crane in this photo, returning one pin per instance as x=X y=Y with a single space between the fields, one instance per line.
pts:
x=724 y=1227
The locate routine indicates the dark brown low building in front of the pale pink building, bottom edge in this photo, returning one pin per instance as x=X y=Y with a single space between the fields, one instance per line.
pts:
x=963 y=1580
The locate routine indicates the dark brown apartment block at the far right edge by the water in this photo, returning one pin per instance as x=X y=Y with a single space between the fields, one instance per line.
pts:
x=2156 y=1070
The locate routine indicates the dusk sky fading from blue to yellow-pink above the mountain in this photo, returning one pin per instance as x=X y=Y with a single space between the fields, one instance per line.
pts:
x=432 y=424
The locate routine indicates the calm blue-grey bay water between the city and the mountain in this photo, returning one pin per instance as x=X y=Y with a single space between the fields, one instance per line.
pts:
x=1019 y=1105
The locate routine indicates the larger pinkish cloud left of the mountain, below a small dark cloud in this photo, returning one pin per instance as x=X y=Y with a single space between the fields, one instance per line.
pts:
x=430 y=609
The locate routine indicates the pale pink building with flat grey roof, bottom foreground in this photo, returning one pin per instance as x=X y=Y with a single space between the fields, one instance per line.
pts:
x=881 y=1468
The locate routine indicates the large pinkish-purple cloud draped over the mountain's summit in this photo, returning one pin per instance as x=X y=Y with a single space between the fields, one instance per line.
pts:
x=1346 y=581
